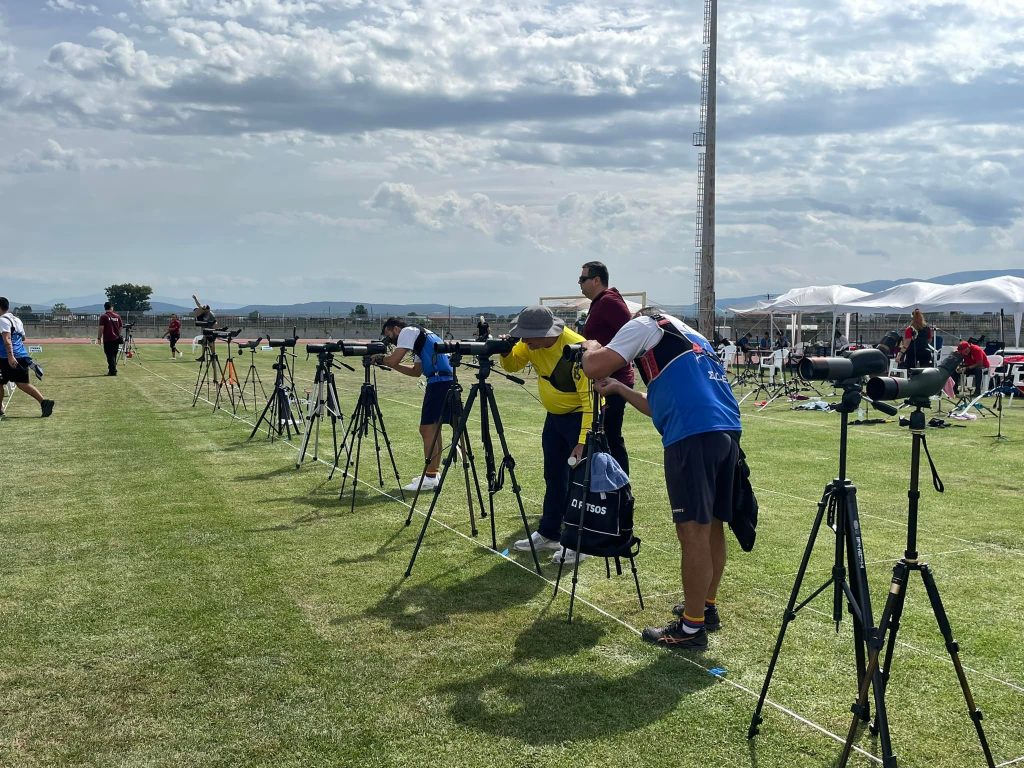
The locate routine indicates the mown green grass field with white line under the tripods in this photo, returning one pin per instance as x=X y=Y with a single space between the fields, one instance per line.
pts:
x=175 y=595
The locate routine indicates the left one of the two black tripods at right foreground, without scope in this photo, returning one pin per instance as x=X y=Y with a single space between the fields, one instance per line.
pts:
x=848 y=580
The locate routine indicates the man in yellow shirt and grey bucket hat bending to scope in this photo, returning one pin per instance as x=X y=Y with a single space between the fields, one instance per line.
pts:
x=568 y=401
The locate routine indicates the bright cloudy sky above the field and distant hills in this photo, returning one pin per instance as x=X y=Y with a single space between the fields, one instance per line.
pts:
x=479 y=153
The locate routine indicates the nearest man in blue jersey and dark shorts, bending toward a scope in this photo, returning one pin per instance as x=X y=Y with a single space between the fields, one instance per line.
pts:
x=690 y=399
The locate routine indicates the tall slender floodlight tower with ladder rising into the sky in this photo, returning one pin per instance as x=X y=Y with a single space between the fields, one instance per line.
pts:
x=704 y=269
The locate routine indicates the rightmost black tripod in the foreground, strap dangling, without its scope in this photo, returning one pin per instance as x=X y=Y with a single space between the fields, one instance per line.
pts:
x=893 y=612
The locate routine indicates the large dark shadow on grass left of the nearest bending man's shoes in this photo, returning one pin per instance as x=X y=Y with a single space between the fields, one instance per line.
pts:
x=542 y=705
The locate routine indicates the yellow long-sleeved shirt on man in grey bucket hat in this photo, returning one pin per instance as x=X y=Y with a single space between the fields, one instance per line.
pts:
x=561 y=393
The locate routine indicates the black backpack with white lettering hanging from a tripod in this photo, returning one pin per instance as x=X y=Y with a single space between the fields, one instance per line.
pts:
x=607 y=520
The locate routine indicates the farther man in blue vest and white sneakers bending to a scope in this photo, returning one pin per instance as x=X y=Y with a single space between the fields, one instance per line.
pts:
x=438 y=370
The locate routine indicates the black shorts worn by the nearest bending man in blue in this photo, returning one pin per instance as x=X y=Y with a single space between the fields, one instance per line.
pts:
x=699 y=473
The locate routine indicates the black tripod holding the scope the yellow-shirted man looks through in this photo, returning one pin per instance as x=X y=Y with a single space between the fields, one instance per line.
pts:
x=496 y=475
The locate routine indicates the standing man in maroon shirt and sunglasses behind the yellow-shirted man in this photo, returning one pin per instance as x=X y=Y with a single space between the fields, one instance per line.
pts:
x=608 y=314
